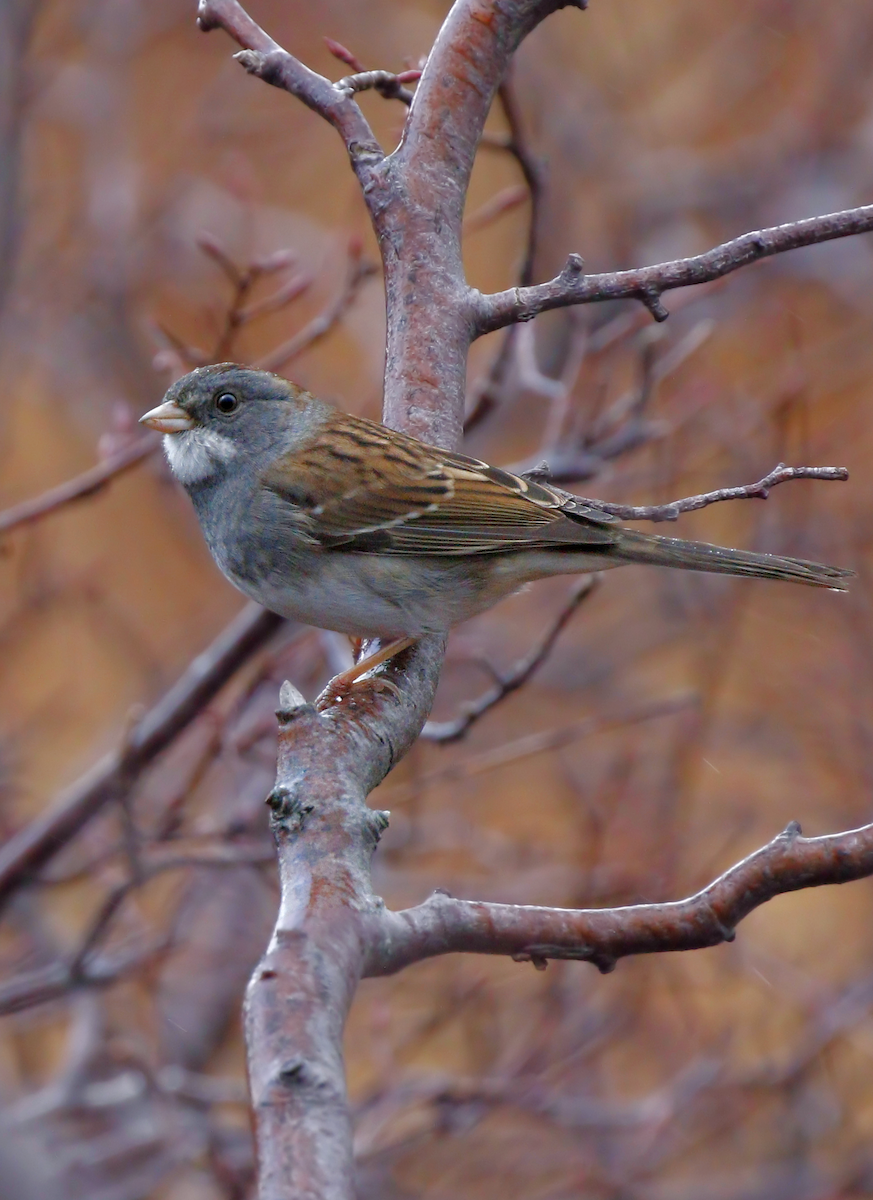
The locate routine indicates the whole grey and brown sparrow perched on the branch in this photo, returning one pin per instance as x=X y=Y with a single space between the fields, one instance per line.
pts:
x=347 y=525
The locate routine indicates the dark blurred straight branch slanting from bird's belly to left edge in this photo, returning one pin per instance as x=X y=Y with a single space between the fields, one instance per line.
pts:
x=111 y=778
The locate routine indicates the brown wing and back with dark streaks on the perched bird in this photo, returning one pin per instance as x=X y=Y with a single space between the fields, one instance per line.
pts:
x=363 y=487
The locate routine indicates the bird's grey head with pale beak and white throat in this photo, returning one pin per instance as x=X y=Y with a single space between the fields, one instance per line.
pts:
x=228 y=413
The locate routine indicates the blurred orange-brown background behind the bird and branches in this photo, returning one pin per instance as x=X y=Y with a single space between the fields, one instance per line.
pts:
x=738 y=1072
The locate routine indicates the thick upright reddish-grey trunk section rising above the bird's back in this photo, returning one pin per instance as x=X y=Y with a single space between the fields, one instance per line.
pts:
x=431 y=319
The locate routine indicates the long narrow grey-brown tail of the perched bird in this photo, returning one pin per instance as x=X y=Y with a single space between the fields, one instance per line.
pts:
x=699 y=556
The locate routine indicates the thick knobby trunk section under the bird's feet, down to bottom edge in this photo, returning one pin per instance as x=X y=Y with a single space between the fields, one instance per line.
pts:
x=300 y=994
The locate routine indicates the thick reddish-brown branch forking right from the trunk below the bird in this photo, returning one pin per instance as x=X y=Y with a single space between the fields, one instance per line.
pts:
x=445 y=926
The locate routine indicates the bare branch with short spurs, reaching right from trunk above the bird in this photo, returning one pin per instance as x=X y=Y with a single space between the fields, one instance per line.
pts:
x=647 y=284
